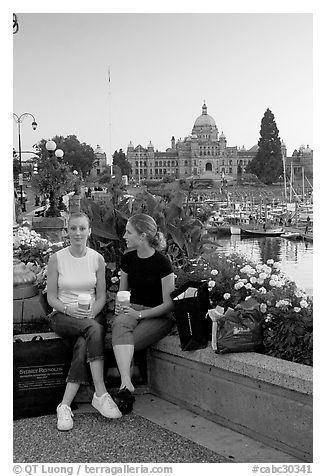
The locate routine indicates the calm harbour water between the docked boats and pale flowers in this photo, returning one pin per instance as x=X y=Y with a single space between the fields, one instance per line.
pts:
x=296 y=257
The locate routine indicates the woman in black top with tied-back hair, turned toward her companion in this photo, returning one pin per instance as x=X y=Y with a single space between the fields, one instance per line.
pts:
x=149 y=276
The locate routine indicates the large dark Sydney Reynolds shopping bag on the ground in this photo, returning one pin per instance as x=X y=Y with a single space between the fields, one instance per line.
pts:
x=40 y=366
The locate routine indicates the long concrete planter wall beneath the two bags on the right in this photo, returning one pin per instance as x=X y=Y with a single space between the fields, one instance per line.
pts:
x=266 y=398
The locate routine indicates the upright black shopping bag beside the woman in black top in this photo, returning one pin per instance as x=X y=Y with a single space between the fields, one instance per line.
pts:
x=191 y=302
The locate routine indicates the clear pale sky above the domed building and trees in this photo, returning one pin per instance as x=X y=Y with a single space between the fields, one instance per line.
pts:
x=163 y=66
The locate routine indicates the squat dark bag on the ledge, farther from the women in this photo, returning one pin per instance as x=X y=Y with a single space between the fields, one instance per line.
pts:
x=239 y=329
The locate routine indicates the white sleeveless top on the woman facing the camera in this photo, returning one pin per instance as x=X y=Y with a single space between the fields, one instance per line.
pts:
x=76 y=275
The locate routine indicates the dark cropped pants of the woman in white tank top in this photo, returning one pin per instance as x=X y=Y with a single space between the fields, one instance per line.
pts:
x=88 y=335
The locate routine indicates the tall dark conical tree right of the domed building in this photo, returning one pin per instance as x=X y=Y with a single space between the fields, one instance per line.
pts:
x=267 y=163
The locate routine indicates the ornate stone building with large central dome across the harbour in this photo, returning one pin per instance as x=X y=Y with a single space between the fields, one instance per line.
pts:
x=203 y=154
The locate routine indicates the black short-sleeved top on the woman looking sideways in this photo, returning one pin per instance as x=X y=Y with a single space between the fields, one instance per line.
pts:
x=144 y=277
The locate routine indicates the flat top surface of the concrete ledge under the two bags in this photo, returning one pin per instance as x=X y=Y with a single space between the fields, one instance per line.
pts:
x=289 y=375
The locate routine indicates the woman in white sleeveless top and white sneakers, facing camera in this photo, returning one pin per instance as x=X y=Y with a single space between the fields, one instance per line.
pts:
x=76 y=270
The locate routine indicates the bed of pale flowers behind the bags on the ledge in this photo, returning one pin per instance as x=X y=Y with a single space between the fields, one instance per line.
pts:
x=287 y=310
